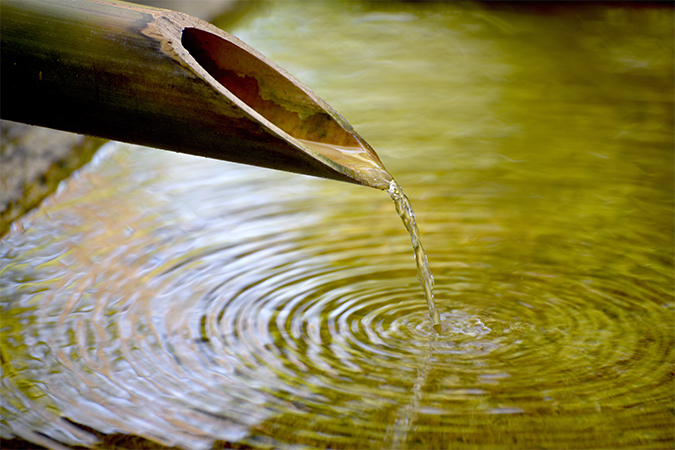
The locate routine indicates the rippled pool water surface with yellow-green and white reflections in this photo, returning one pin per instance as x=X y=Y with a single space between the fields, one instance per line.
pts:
x=190 y=301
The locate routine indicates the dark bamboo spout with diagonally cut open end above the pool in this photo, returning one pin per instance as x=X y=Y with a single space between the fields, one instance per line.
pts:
x=164 y=79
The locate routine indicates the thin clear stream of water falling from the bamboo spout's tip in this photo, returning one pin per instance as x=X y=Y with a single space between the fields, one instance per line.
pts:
x=424 y=275
